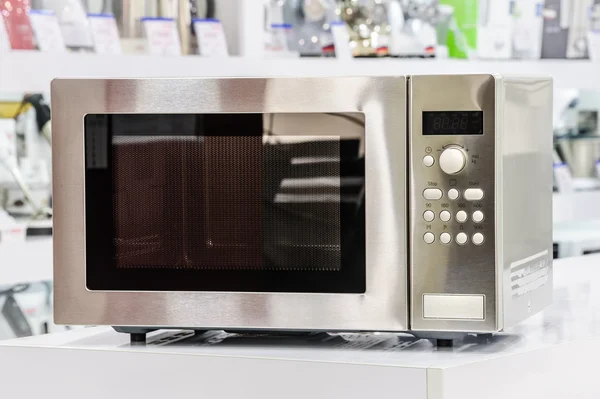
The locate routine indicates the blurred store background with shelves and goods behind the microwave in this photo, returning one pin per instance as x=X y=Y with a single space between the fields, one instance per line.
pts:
x=44 y=39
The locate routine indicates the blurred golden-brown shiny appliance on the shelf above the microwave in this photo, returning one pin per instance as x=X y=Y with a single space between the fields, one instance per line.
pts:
x=369 y=27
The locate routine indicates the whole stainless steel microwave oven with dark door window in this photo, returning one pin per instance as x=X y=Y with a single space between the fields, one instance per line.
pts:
x=418 y=204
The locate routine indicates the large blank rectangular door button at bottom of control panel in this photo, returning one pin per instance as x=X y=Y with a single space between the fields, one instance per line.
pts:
x=465 y=307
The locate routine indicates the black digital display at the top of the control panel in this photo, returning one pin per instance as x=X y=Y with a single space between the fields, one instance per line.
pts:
x=452 y=122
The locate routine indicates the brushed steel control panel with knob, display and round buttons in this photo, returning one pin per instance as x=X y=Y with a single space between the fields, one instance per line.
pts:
x=452 y=136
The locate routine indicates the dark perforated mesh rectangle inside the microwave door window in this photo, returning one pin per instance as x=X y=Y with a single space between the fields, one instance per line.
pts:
x=226 y=202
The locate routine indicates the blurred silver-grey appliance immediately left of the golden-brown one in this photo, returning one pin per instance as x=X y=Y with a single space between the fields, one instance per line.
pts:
x=310 y=20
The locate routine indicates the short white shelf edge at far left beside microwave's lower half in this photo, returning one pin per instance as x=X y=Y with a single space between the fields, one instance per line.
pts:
x=26 y=262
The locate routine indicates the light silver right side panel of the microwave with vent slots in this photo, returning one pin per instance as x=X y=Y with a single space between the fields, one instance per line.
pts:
x=526 y=197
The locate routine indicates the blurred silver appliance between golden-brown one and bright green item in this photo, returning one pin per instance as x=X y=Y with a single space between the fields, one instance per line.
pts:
x=413 y=27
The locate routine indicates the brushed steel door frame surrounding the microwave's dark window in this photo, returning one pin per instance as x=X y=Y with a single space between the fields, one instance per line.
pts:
x=384 y=304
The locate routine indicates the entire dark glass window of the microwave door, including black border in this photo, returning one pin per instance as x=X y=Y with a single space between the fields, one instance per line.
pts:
x=225 y=202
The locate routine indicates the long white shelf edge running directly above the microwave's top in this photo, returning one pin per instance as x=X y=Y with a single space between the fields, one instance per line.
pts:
x=29 y=71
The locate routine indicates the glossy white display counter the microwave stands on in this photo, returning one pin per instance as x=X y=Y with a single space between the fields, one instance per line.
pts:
x=552 y=355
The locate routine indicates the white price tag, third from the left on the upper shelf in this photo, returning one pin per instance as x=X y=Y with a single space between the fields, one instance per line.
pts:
x=162 y=36
